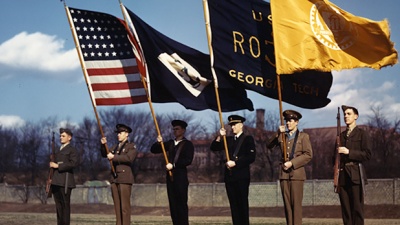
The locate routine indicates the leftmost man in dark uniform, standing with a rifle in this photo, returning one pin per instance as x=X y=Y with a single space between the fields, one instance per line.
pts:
x=62 y=182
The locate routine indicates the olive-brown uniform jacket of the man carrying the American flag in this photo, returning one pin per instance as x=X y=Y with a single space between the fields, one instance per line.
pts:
x=122 y=161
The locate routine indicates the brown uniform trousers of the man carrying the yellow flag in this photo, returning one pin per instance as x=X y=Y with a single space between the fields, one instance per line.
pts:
x=292 y=194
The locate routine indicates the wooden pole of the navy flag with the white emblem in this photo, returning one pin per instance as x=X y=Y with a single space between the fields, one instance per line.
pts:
x=144 y=82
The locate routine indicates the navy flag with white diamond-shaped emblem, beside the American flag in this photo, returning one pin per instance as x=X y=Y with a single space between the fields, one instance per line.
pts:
x=178 y=73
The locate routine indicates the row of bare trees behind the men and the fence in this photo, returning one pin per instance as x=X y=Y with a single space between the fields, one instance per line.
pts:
x=25 y=150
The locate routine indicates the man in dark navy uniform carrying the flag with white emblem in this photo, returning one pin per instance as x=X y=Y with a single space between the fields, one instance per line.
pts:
x=180 y=155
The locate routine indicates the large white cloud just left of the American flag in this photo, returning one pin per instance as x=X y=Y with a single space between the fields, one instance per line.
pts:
x=38 y=51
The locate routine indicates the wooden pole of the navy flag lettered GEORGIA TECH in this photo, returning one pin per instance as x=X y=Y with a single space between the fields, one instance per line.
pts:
x=208 y=31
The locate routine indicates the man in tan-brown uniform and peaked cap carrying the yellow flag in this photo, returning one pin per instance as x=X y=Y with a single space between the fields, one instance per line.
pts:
x=292 y=173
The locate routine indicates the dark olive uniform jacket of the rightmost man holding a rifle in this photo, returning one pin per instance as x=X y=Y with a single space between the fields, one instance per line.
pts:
x=359 y=145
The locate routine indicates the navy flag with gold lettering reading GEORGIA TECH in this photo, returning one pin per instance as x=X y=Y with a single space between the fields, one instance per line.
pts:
x=243 y=50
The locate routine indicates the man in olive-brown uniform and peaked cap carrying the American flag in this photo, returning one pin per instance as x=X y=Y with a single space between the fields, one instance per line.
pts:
x=122 y=156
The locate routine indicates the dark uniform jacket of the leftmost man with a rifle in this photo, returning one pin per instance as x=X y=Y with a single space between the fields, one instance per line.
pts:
x=67 y=160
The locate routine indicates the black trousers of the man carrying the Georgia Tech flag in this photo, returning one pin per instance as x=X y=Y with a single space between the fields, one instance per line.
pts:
x=238 y=195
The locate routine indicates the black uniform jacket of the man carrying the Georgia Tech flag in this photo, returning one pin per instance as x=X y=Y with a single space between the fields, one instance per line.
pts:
x=244 y=157
